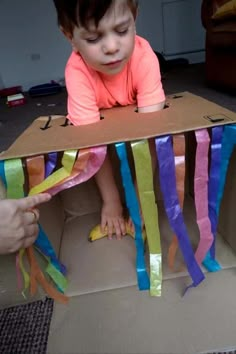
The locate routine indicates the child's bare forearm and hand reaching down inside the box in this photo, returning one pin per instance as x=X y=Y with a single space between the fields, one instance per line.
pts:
x=112 y=211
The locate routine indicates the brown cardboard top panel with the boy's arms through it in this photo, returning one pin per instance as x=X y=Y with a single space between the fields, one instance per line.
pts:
x=185 y=112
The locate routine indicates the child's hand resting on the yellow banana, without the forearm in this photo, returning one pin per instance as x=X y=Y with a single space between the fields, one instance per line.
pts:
x=112 y=218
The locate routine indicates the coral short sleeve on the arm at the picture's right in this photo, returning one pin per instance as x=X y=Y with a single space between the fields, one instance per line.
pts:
x=148 y=79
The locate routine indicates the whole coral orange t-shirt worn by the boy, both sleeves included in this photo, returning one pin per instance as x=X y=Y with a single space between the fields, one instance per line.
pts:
x=89 y=91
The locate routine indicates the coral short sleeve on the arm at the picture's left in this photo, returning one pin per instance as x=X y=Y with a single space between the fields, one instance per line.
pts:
x=82 y=103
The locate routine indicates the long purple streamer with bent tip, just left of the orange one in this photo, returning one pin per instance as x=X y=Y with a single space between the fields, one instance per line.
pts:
x=168 y=186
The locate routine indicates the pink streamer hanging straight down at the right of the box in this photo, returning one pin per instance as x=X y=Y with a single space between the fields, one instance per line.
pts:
x=201 y=194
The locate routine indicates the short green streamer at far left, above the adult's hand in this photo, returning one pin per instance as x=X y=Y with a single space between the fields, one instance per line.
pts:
x=15 y=178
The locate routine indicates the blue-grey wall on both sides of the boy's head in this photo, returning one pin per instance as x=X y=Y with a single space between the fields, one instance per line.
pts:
x=33 y=50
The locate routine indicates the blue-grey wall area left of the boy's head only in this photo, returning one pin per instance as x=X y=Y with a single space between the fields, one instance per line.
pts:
x=33 y=51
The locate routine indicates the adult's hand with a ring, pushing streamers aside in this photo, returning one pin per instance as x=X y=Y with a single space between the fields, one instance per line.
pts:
x=19 y=222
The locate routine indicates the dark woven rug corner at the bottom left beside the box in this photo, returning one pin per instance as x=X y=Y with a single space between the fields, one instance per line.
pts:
x=25 y=328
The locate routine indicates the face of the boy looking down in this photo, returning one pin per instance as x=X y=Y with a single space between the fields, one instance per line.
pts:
x=108 y=47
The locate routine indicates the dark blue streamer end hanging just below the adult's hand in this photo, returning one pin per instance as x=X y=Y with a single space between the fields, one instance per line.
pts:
x=42 y=242
